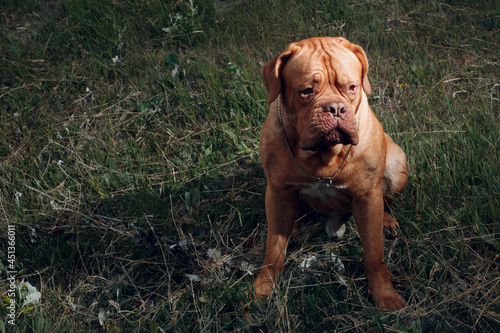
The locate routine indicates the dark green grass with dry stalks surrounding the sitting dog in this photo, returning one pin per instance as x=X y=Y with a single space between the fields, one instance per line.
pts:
x=129 y=163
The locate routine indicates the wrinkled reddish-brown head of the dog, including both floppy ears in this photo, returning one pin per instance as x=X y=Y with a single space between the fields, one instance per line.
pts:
x=321 y=81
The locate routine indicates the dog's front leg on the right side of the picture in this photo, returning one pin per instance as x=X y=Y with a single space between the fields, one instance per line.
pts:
x=368 y=213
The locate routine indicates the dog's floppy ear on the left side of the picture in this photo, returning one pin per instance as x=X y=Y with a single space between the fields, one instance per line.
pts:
x=271 y=73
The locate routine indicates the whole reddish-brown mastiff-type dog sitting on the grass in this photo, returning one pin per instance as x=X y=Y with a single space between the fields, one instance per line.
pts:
x=323 y=145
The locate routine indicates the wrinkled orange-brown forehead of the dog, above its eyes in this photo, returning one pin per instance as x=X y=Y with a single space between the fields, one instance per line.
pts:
x=322 y=59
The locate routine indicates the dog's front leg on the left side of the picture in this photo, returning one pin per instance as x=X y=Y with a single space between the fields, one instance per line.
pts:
x=281 y=211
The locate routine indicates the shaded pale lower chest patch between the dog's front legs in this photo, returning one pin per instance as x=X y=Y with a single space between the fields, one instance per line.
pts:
x=325 y=197
